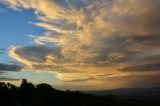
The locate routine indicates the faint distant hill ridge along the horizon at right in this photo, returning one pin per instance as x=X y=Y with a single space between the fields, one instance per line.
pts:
x=155 y=91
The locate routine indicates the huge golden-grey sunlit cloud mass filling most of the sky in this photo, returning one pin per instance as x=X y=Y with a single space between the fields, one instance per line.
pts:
x=92 y=38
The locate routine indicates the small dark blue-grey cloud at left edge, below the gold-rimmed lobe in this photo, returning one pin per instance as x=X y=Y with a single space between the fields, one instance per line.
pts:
x=10 y=67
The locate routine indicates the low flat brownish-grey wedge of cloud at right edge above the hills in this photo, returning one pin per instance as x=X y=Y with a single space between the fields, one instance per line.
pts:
x=144 y=67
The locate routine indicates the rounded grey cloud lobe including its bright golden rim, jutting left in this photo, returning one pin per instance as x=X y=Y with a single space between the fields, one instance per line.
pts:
x=35 y=55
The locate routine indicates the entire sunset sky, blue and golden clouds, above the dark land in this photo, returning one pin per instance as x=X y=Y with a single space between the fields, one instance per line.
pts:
x=81 y=44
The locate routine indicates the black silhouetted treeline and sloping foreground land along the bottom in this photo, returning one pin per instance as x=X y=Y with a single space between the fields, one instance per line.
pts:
x=45 y=95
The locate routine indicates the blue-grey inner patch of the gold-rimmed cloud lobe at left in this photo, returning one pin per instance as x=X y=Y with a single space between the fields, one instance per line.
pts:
x=37 y=54
